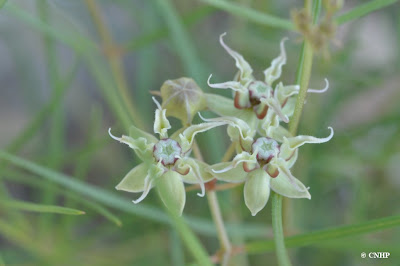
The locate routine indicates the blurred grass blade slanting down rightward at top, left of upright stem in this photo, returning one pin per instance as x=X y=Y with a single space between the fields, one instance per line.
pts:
x=252 y=15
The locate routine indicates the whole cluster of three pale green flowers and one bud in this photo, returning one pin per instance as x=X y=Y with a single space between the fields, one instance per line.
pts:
x=266 y=151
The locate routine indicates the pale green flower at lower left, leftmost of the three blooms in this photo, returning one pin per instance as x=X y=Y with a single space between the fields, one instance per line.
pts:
x=166 y=161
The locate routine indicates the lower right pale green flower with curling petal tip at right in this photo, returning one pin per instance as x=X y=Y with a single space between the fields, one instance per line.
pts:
x=264 y=164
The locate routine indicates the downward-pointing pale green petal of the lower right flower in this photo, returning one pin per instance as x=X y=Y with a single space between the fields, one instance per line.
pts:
x=256 y=190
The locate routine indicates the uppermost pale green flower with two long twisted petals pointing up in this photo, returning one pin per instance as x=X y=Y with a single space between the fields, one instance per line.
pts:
x=257 y=102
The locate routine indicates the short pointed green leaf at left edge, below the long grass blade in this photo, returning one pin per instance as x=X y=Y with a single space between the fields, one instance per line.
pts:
x=33 y=207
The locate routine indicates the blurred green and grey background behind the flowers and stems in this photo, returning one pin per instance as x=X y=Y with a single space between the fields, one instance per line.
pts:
x=69 y=70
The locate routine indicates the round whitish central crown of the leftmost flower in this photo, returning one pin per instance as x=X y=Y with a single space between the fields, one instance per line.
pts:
x=167 y=151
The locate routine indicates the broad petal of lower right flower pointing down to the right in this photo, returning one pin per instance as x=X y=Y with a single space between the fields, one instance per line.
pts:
x=281 y=185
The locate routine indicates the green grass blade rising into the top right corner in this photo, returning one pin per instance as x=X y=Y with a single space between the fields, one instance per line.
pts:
x=363 y=10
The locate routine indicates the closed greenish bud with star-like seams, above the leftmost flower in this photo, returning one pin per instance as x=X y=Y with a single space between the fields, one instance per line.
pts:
x=182 y=98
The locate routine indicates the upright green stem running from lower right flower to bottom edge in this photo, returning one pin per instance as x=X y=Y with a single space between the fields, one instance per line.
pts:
x=281 y=252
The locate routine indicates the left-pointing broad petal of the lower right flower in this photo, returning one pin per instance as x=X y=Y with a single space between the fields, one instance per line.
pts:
x=234 y=175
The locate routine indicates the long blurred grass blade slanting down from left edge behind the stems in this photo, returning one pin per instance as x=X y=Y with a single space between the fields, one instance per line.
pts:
x=112 y=200
